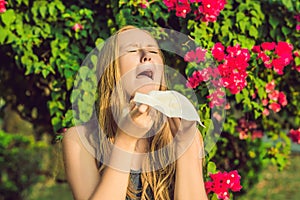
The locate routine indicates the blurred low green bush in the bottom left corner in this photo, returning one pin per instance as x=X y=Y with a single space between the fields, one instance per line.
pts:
x=19 y=163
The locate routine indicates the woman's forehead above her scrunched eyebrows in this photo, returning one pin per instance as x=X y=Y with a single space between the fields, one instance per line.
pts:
x=136 y=37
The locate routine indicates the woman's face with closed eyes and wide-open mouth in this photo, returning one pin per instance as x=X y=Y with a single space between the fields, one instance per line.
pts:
x=141 y=64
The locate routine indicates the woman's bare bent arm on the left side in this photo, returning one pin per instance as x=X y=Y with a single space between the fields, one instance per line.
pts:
x=81 y=168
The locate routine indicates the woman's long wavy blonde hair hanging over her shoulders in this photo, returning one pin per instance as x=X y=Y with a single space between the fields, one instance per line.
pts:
x=159 y=181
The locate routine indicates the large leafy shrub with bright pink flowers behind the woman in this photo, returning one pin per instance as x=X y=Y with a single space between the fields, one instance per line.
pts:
x=247 y=51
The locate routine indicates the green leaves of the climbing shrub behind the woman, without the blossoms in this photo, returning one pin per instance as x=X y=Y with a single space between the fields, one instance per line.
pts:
x=42 y=51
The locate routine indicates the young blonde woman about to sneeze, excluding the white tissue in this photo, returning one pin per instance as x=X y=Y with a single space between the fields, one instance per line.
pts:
x=127 y=154
